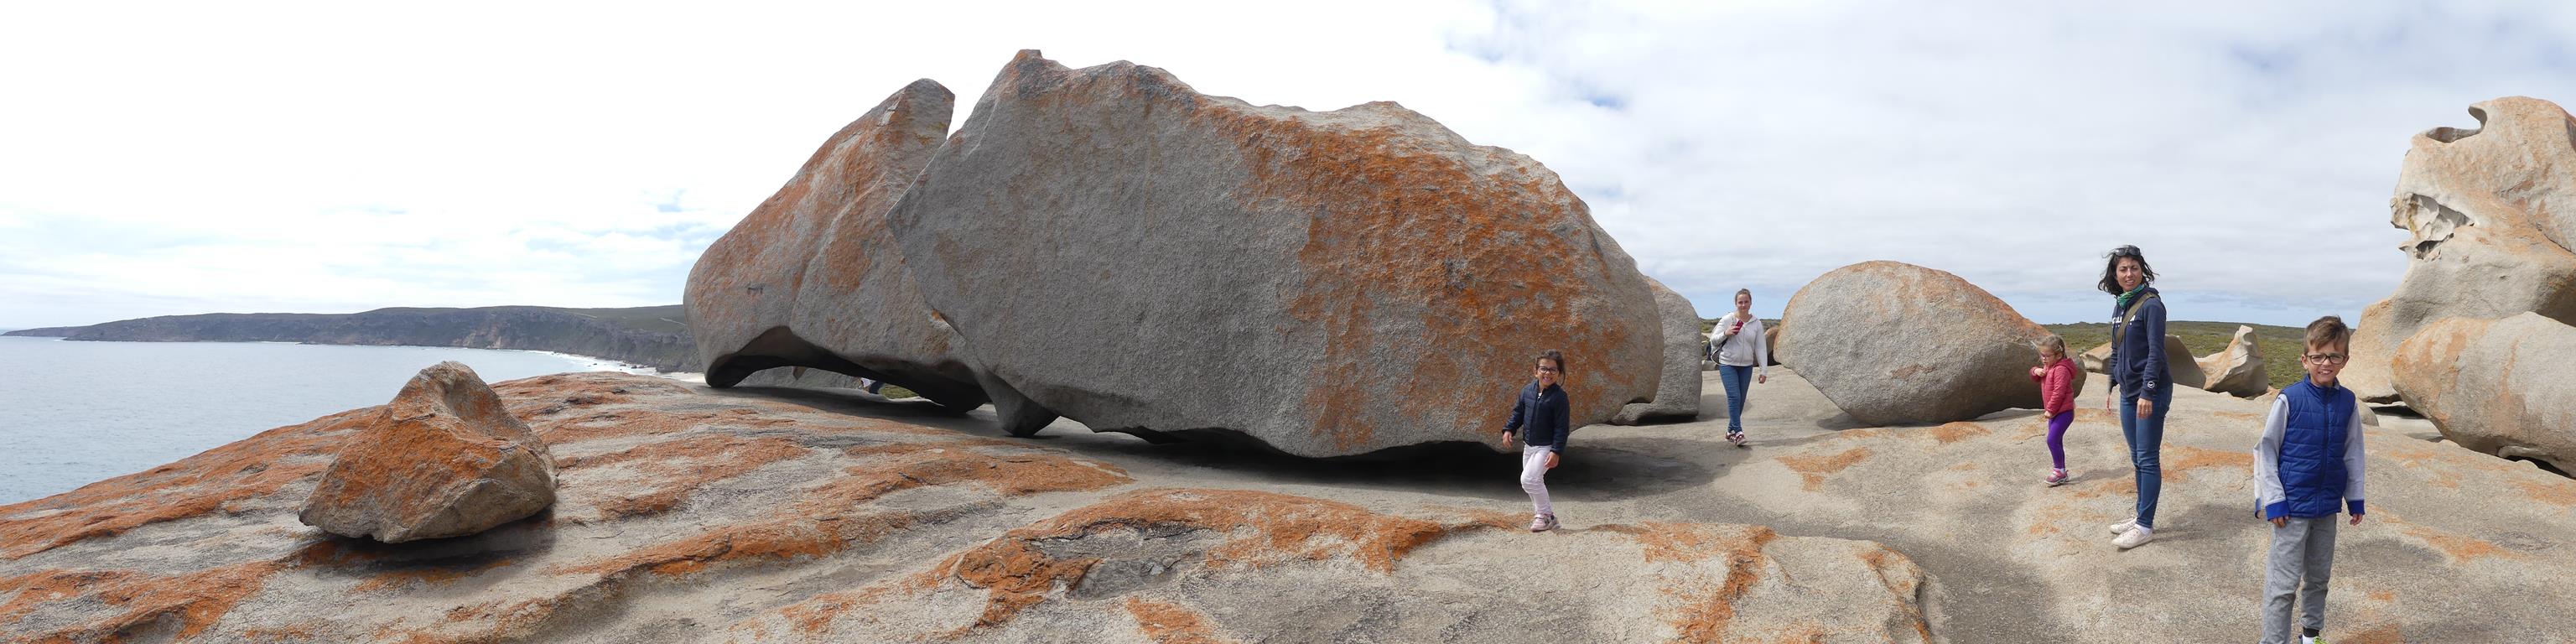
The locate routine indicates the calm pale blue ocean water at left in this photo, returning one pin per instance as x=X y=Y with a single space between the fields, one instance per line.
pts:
x=76 y=413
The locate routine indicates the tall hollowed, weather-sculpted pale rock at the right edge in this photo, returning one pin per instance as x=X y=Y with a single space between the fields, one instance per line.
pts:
x=2490 y=218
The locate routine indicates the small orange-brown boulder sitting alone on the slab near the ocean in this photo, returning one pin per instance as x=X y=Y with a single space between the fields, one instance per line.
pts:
x=442 y=460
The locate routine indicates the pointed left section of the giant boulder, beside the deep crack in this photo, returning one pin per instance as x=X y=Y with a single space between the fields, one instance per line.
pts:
x=813 y=277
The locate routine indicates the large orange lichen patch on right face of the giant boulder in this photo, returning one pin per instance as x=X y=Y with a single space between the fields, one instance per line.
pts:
x=1408 y=231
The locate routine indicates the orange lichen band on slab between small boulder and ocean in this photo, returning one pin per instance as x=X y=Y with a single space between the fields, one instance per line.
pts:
x=197 y=486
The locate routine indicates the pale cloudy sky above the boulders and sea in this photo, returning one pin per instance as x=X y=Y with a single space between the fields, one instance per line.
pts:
x=352 y=156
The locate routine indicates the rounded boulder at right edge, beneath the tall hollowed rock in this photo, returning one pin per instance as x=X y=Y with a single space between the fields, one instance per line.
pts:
x=2497 y=385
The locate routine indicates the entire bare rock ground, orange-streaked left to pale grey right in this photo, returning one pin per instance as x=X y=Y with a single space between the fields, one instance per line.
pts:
x=810 y=516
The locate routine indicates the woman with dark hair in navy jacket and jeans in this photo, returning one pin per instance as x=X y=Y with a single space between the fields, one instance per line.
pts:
x=2139 y=380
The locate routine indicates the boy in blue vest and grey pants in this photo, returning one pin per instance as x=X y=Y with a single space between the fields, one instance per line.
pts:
x=2309 y=468
